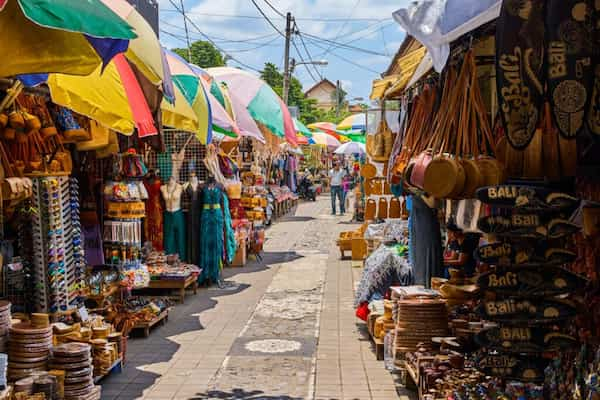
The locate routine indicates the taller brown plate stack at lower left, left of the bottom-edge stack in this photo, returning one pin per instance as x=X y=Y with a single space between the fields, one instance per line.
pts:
x=28 y=350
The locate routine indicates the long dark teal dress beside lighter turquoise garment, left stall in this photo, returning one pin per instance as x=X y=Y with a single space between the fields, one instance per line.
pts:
x=212 y=234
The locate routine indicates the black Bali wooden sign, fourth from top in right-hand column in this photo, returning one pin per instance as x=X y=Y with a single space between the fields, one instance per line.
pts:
x=531 y=281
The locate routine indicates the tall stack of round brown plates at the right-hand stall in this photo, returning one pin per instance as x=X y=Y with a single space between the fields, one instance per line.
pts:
x=418 y=321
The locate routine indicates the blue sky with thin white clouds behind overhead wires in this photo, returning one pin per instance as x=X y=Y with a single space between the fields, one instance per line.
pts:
x=237 y=27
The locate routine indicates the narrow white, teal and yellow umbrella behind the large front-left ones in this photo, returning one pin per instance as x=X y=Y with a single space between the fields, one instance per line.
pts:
x=189 y=84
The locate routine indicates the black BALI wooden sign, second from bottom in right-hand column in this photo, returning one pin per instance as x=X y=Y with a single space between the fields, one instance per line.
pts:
x=521 y=339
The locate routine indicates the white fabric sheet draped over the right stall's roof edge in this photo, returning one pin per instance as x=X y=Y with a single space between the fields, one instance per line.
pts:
x=436 y=23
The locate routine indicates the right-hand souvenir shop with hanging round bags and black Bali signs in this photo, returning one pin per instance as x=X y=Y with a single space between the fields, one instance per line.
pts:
x=486 y=286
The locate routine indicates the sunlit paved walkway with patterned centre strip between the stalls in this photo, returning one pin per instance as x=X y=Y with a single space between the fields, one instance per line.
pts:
x=285 y=330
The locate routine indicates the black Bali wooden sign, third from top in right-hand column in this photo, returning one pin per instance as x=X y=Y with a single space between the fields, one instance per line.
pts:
x=523 y=254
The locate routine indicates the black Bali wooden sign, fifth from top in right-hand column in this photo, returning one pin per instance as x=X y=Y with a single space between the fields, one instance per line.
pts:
x=526 y=311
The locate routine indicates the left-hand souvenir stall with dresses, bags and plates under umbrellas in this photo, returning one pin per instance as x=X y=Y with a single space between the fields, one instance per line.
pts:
x=103 y=233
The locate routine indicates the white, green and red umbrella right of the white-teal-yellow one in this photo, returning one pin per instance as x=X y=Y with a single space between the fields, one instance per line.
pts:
x=257 y=97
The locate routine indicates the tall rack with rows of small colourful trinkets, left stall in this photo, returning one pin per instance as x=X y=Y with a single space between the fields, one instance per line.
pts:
x=57 y=252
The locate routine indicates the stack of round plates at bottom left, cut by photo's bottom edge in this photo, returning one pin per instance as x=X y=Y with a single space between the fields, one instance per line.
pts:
x=76 y=360
